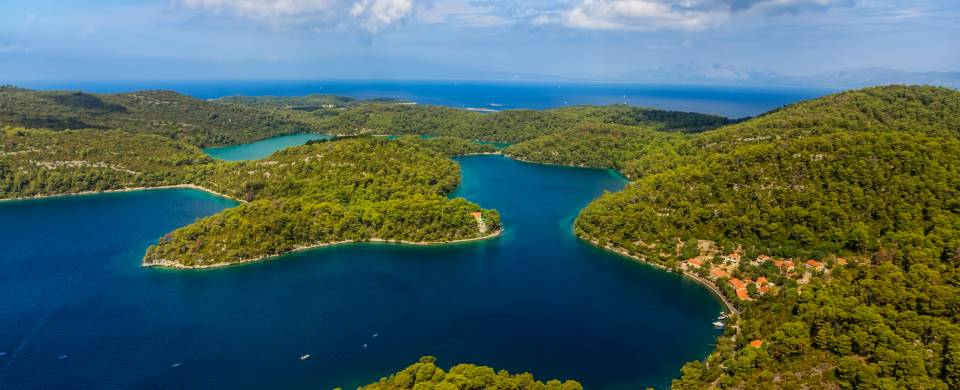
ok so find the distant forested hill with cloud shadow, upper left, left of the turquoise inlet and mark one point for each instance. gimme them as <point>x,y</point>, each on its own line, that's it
<point>170,114</point>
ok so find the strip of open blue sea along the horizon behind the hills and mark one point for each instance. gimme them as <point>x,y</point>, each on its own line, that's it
<point>728,101</point>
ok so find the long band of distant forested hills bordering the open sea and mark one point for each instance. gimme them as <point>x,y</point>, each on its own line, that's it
<point>241,119</point>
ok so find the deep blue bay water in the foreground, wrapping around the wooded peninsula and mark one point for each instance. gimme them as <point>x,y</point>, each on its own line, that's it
<point>535,299</point>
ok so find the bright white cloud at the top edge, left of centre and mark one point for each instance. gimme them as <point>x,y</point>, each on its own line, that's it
<point>370,15</point>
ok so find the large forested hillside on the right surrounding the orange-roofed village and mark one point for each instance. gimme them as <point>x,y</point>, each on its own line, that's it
<point>871,174</point>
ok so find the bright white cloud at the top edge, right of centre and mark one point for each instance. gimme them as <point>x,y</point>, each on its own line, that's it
<point>674,15</point>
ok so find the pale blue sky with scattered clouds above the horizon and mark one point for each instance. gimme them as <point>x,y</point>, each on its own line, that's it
<point>384,39</point>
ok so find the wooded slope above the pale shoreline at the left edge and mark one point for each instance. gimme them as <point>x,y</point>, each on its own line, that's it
<point>43,162</point>
